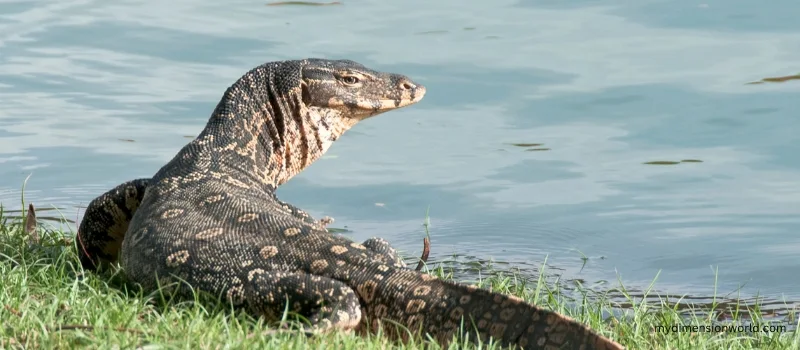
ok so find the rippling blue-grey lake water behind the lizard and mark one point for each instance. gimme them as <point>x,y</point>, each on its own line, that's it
<point>94,93</point>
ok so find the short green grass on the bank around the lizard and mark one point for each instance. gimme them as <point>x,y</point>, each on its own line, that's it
<point>48,301</point>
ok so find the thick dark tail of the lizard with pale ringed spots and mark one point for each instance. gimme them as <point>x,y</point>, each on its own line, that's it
<point>443,309</point>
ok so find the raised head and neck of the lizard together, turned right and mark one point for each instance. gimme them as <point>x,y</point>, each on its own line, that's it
<point>284,115</point>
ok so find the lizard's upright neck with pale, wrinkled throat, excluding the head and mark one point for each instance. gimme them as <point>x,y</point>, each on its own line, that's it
<point>266,133</point>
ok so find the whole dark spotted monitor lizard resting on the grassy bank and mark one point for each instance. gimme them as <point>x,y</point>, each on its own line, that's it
<point>210,218</point>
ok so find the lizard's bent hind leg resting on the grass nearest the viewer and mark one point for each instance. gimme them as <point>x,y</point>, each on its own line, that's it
<point>324,302</point>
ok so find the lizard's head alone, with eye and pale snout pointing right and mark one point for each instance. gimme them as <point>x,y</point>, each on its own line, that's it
<point>355,92</point>
